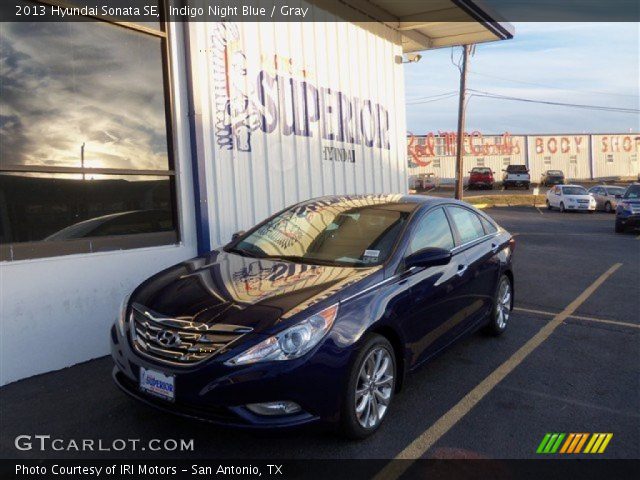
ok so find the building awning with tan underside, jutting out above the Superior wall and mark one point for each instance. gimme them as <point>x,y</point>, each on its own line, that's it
<point>437,23</point>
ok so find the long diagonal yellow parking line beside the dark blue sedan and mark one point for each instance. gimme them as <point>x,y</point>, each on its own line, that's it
<point>431,435</point>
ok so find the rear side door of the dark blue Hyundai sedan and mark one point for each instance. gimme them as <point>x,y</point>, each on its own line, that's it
<point>482,262</point>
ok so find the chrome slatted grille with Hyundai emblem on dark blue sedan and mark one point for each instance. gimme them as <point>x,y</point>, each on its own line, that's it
<point>179,341</point>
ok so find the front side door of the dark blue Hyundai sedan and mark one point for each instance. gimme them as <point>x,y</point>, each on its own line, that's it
<point>438,303</point>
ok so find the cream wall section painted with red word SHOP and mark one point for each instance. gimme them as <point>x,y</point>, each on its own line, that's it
<point>615,155</point>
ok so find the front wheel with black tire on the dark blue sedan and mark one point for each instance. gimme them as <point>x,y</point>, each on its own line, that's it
<point>358,425</point>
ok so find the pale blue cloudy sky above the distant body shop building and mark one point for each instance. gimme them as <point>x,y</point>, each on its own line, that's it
<point>579,63</point>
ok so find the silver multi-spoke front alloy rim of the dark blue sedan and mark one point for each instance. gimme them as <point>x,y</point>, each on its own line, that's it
<point>374,387</point>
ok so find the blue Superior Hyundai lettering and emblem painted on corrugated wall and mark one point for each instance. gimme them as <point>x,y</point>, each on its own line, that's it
<point>280,94</point>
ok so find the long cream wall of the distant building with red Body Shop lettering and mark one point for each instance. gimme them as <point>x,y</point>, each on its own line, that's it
<point>580,157</point>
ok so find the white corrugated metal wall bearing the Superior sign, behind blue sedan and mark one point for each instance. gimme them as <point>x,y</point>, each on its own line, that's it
<point>290,111</point>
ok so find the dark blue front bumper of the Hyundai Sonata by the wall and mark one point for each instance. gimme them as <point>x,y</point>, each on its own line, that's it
<point>216,393</point>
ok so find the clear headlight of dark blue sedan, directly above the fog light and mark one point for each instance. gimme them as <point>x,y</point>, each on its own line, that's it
<point>291,343</point>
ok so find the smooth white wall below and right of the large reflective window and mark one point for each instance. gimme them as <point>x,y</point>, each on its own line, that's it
<point>56,312</point>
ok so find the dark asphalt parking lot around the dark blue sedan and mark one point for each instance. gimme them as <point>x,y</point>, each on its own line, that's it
<point>568,363</point>
